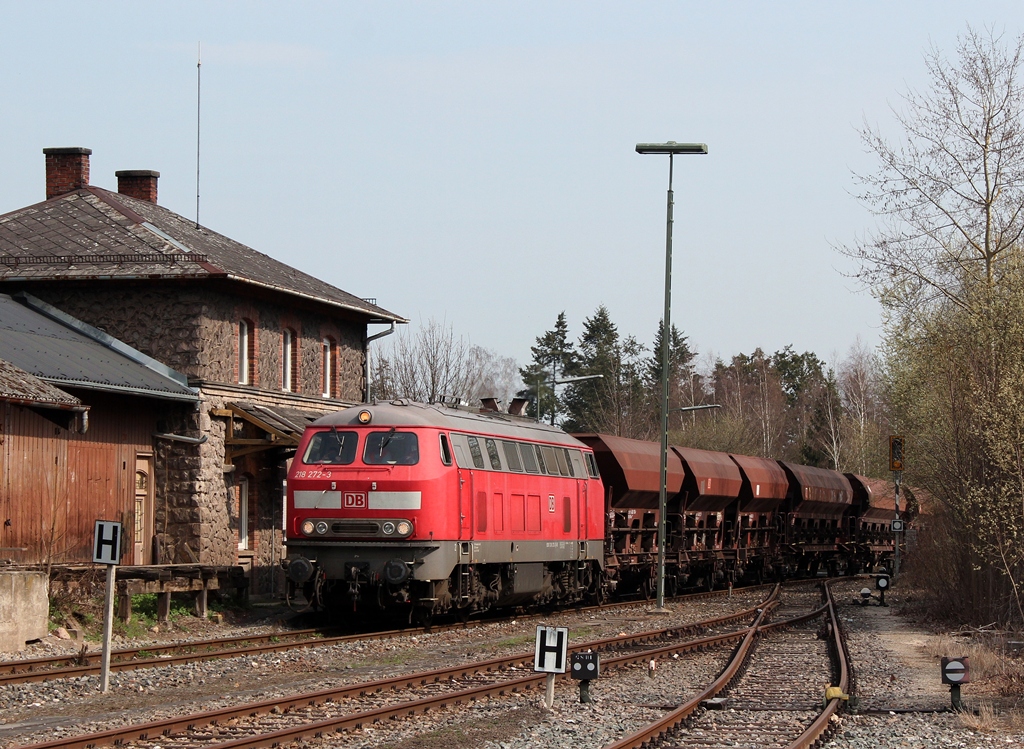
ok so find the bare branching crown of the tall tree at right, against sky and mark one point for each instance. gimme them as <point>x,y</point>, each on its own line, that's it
<point>951,193</point>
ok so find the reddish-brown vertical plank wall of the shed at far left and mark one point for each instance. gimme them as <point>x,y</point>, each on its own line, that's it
<point>56,483</point>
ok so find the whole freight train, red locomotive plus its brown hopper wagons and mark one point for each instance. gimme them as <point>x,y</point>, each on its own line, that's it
<point>431,509</point>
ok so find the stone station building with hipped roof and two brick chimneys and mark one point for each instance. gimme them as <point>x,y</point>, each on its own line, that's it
<point>268,348</point>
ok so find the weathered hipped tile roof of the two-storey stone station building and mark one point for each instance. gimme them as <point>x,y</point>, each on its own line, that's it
<point>93,233</point>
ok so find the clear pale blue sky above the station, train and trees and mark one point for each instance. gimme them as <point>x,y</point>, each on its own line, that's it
<point>475,162</point>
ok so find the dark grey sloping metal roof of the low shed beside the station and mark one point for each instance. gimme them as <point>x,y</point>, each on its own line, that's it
<point>64,354</point>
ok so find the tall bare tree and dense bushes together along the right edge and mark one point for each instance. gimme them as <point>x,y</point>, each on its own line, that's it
<point>947,265</point>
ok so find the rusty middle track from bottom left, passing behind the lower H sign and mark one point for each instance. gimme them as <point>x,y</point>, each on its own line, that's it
<point>278,722</point>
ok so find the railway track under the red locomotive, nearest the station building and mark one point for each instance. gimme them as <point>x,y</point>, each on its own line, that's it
<point>130,659</point>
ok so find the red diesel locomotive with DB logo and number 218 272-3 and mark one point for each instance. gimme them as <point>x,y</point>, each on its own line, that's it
<point>435,509</point>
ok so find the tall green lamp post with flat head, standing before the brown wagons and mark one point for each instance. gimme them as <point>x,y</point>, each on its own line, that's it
<point>672,149</point>
